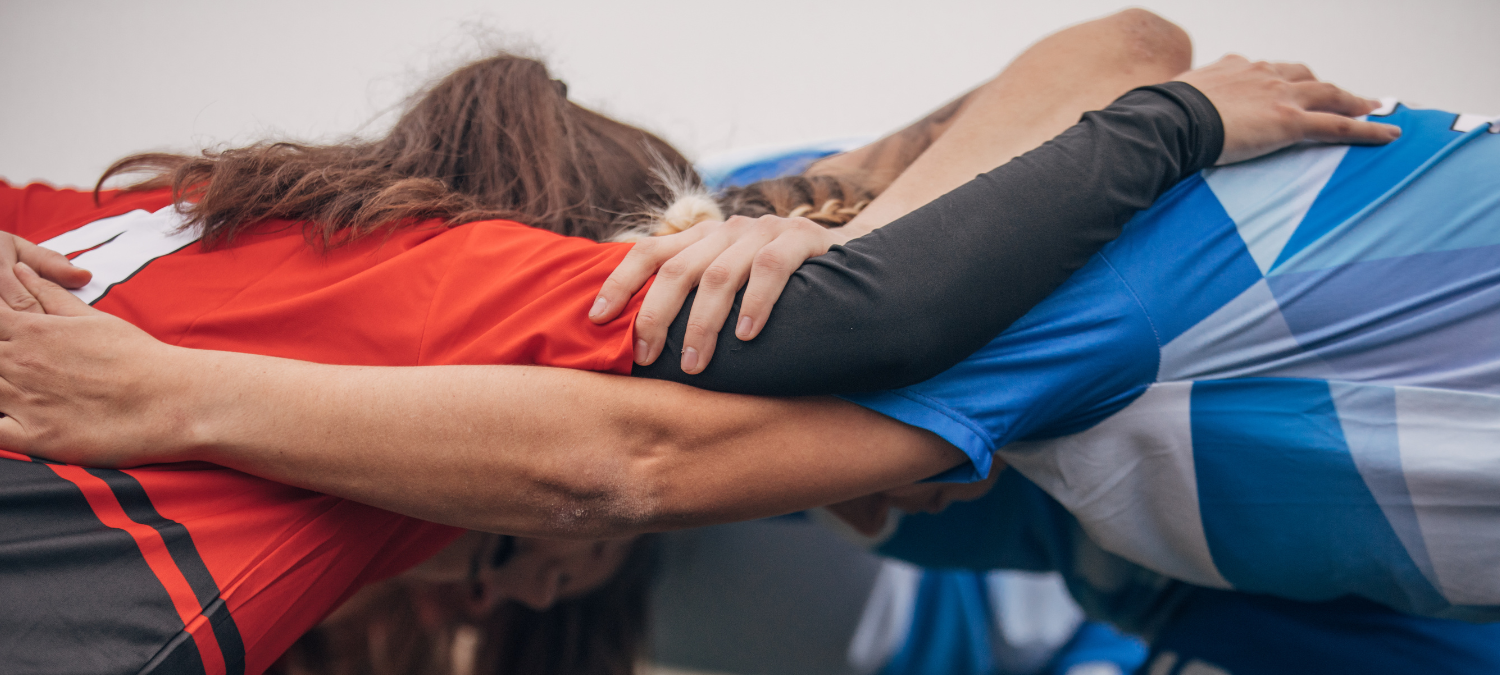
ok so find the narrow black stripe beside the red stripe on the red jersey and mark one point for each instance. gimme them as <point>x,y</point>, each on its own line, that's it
<point>179,544</point>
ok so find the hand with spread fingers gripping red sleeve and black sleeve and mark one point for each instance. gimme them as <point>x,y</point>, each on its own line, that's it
<point>719,259</point>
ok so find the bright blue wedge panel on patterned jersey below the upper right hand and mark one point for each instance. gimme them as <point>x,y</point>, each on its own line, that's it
<point>1369,172</point>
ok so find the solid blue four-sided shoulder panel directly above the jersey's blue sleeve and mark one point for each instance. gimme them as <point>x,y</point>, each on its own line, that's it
<point>1184,259</point>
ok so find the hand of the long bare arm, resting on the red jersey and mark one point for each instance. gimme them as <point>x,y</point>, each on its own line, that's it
<point>74,383</point>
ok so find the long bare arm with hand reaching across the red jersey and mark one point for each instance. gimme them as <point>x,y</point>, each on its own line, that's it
<point>523,451</point>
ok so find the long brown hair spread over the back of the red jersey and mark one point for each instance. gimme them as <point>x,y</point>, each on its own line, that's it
<point>494,140</point>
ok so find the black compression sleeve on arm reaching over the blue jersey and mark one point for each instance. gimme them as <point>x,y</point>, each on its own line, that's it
<point>920,295</point>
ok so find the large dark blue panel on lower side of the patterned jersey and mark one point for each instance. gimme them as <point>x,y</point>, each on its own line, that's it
<point>1283,505</point>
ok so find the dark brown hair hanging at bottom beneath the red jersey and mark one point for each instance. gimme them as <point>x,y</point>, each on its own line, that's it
<point>416,629</point>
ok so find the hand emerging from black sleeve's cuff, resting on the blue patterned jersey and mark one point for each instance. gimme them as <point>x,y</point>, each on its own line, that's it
<point>1268,107</point>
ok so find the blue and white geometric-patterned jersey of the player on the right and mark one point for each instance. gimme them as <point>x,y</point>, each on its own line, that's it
<point>1285,377</point>
